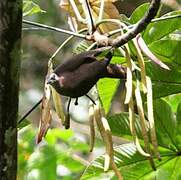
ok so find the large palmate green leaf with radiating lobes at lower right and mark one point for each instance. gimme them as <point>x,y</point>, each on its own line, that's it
<point>131,163</point>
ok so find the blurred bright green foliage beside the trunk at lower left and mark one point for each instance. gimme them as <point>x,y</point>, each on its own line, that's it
<point>55,159</point>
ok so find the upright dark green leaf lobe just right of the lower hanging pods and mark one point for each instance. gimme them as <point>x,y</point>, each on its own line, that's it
<point>165,124</point>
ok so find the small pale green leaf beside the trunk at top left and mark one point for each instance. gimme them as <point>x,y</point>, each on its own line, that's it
<point>30,8</point>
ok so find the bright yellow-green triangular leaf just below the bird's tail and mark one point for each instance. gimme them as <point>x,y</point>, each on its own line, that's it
<point>107,88</point>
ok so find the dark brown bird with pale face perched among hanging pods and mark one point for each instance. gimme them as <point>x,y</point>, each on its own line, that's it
<point>78,74</point>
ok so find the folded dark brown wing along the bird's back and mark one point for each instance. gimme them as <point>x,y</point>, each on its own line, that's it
<point>76,61</point>
